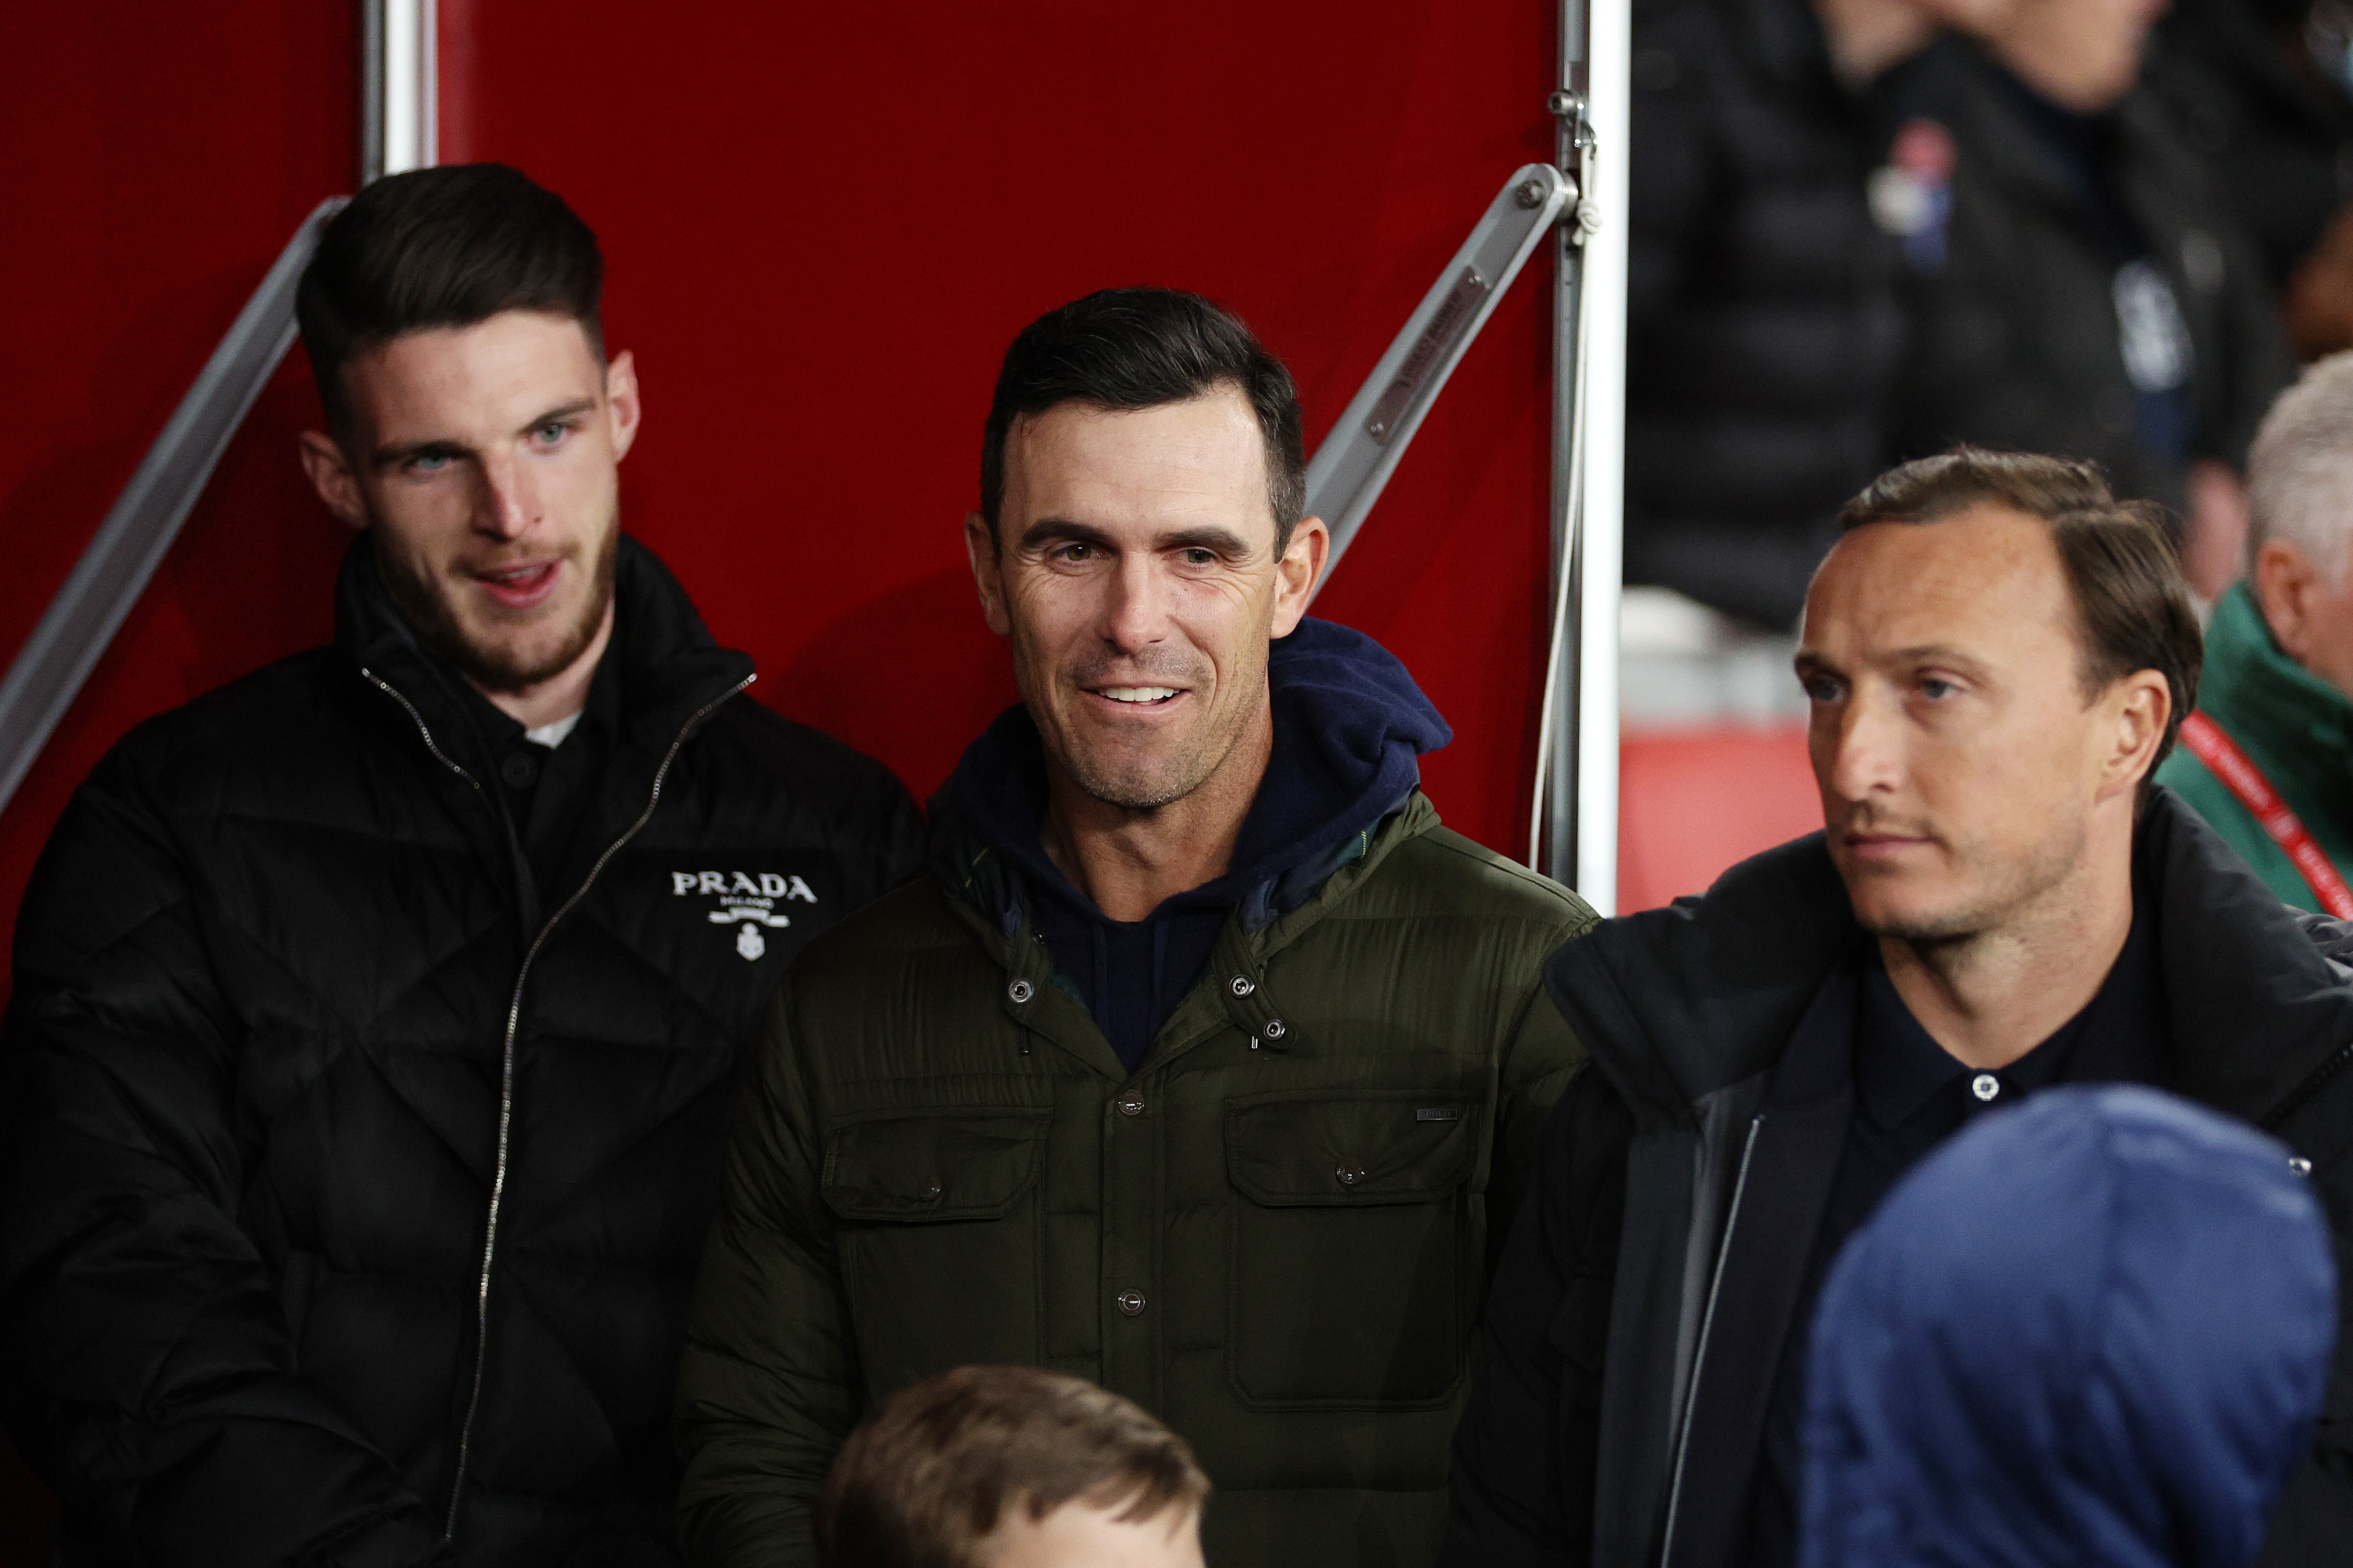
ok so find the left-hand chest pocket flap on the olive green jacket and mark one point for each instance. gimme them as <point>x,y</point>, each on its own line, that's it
<point>966,1165</point>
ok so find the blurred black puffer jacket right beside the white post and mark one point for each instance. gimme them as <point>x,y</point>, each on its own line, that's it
<point>1764,323</point>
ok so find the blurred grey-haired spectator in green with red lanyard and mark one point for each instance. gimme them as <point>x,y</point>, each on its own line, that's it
<point>2269,753</point>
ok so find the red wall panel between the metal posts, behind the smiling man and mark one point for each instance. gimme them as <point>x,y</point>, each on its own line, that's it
<point>827,222</point>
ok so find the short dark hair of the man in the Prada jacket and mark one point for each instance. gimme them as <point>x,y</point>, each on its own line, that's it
<point>444,248</point>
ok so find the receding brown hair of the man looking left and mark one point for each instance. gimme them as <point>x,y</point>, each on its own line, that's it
<point>2133,605</point>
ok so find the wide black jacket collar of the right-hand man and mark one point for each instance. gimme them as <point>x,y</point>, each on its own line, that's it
<point>1707,993</point>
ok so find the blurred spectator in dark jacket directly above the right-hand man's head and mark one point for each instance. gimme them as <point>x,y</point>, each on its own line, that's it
<point>2079,283</point>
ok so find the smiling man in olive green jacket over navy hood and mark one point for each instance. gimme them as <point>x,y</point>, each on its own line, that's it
<point>1204,1064</point>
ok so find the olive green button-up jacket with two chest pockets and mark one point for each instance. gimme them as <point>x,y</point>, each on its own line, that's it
<point>1274,1233</point>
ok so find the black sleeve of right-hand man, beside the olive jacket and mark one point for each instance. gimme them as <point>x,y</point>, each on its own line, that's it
<point>1528,1445</point>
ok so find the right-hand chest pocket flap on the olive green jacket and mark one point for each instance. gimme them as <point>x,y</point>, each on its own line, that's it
<point>1338,1151</point>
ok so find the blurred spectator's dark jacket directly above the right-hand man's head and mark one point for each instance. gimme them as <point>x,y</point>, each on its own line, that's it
<point>2018,335</point>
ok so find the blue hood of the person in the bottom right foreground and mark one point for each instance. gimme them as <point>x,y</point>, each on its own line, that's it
<point>2091,1332</point>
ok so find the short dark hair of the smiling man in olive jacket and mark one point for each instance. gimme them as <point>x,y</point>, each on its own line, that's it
<point>1142,349</point>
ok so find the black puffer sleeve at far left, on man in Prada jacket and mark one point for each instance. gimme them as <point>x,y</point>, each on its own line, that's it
<point>145,1358</point>
